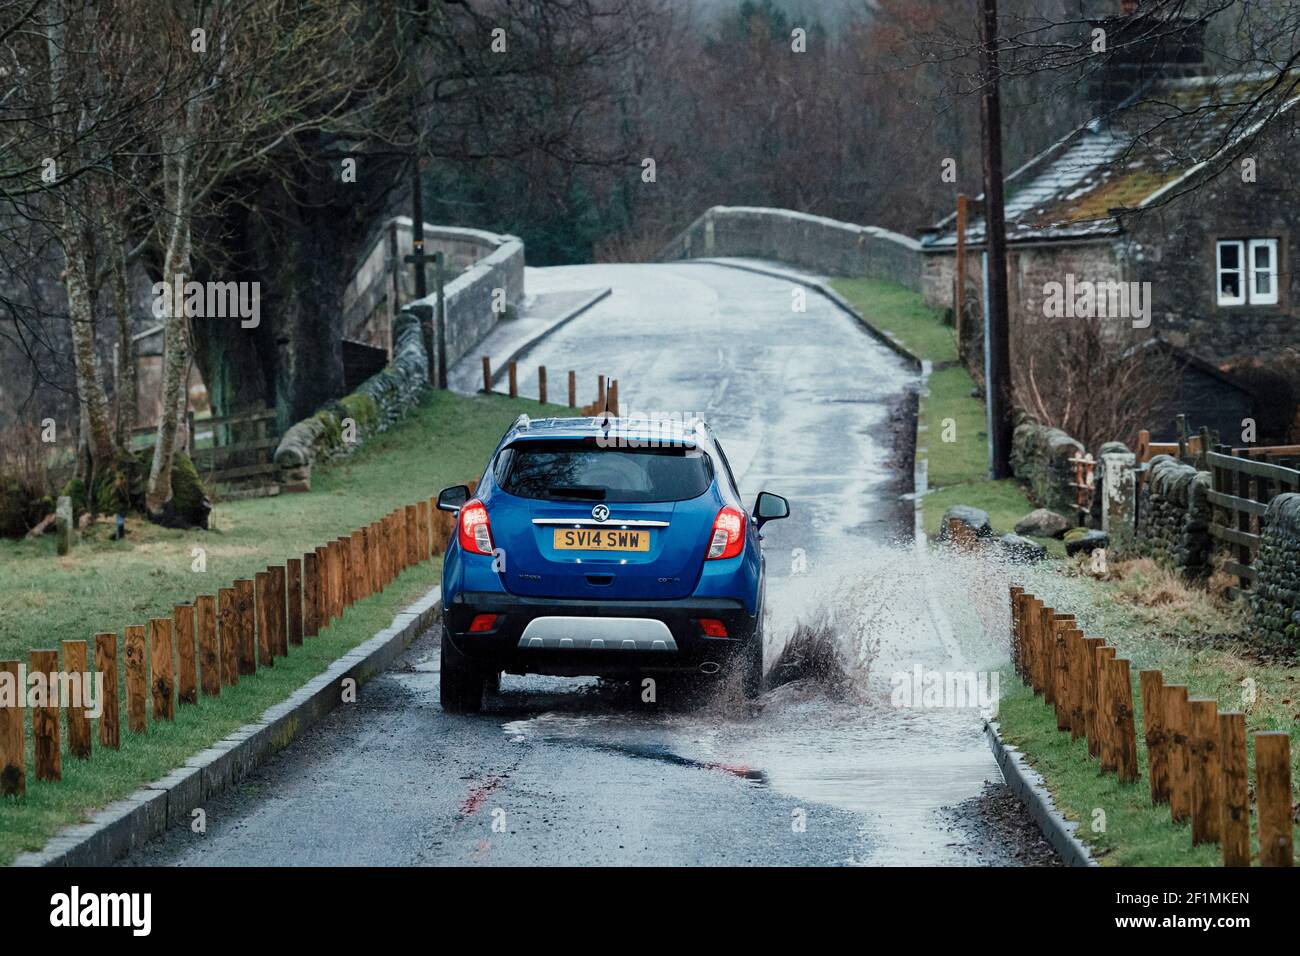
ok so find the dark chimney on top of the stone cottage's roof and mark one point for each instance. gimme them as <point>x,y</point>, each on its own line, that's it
<point>1142,49</point>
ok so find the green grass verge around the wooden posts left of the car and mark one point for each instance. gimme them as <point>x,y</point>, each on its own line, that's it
<point>105,586</point>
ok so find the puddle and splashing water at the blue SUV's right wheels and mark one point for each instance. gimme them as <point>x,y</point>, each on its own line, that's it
<point>898,767</point>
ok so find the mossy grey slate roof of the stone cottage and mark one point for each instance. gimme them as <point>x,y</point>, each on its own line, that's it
<point>1129,159</point>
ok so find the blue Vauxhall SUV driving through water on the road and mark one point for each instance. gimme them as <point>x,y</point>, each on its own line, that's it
<point>604,547</point>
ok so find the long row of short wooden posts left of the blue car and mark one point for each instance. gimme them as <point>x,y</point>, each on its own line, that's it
<point>205,648</point>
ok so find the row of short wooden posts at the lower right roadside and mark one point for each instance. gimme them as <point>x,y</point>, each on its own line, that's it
<point>1195,754</point>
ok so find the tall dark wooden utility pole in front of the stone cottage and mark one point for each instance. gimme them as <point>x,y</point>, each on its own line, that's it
<point>998,347</point>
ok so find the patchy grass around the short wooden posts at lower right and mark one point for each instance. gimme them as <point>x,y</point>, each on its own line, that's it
<point>1158,622</point>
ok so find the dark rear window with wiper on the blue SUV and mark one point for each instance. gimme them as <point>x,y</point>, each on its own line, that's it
<point>583,471</point>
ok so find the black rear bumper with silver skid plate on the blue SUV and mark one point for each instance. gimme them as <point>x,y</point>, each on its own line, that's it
<point>571,638</point>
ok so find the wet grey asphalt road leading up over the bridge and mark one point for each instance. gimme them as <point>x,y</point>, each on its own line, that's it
<point>577,772</point>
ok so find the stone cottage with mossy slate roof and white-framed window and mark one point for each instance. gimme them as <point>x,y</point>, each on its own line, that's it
<point>1190,185</point>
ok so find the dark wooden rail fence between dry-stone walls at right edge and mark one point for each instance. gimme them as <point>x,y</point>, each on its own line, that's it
<point>1242,488</point>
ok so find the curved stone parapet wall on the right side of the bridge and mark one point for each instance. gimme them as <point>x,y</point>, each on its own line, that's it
<point>822,245</point>
